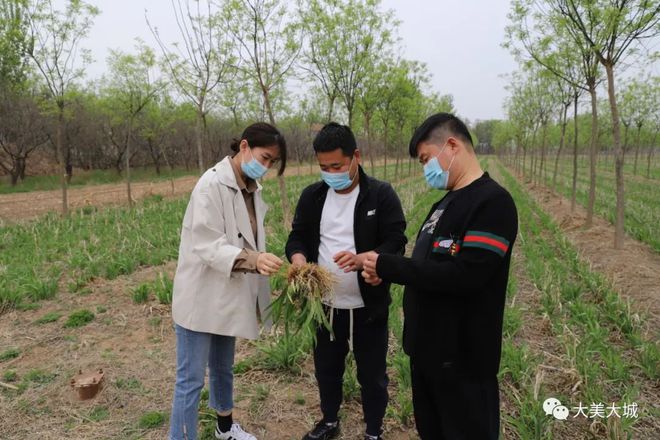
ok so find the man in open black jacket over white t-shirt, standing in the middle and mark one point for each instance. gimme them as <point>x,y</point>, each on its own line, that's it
<point>337,221</point>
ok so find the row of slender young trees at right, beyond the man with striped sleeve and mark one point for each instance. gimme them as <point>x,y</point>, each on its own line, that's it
<point>568,50</point>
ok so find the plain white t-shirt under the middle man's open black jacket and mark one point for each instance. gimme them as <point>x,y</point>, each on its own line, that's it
<point>337,235</point>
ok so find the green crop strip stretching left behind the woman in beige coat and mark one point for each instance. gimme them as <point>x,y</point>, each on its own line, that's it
<point>52,253</point>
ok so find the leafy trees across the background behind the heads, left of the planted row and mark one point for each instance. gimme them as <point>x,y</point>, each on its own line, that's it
<point>295,64</point>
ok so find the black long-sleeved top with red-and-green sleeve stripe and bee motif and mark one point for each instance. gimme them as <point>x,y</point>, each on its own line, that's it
<point>454,295</point>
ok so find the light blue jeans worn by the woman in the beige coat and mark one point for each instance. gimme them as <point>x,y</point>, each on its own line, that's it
<point>194,351</point>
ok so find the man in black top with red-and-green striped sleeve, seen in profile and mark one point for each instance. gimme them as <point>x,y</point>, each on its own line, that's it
<point>455,287</point>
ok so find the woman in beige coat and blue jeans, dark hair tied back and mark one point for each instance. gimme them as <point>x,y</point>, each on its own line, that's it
<point>221,284</point>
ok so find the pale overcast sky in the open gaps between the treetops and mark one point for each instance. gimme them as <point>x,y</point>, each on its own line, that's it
<point>458,40</point>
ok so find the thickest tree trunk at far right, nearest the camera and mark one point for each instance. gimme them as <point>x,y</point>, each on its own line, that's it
<point>618,167</point>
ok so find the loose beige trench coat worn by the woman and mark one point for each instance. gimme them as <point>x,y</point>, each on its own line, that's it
<point>208,297</point>
